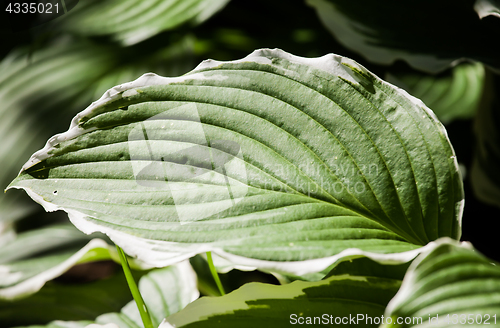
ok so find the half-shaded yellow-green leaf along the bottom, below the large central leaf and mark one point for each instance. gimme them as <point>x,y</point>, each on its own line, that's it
<point>255,304</point>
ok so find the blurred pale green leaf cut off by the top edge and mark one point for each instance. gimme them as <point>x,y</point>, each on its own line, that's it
<point>130,22</point>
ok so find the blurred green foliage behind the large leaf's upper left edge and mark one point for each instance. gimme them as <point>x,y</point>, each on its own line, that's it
<point>42,91</point>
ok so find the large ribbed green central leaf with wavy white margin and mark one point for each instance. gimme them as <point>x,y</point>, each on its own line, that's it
<point>266,161</point>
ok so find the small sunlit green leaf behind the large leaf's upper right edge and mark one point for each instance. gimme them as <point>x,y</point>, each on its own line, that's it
<point>455,94</point>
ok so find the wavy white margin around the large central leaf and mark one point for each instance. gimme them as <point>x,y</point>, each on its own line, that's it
<point>154,258</point>
